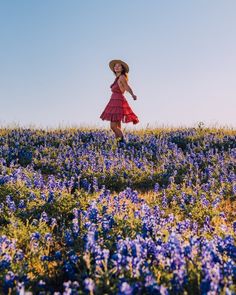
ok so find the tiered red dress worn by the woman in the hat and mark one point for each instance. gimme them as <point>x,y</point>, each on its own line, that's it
<point>118,108</point>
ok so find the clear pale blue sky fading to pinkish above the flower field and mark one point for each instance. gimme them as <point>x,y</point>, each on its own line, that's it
<point>54,60</point>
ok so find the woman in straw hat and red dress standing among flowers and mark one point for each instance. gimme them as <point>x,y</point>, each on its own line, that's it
<point>118,109</point>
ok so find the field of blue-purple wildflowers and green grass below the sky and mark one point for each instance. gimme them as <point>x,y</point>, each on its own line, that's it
<point>80,215</point>
